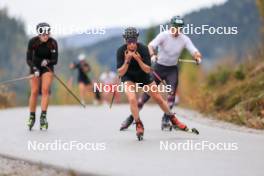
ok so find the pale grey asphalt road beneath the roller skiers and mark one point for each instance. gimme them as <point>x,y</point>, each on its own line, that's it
<point>99,147</point>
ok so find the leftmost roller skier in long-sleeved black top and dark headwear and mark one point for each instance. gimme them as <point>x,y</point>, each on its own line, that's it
<point>42,55</point>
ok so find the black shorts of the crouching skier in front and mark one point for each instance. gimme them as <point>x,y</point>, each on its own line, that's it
<point>144,79</point>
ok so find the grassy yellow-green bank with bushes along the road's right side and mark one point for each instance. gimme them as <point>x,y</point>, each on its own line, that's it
<point>230,92</point>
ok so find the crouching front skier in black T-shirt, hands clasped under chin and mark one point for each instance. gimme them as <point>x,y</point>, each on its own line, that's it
<point>133,65</point>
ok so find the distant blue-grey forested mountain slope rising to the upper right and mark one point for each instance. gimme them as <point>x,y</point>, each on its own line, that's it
<point>231,13</point>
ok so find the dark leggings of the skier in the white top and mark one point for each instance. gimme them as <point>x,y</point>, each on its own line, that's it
<point>170,75</point>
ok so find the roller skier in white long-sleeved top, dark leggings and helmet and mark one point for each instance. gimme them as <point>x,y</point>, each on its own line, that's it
<point>170,45</point>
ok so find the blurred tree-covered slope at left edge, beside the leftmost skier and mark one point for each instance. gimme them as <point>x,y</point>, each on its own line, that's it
<point>12,56</point>
